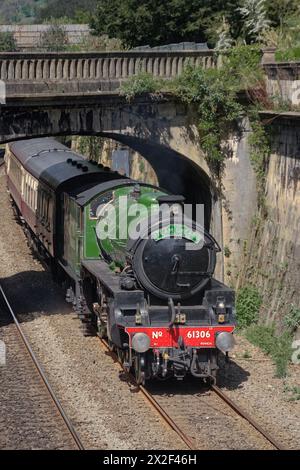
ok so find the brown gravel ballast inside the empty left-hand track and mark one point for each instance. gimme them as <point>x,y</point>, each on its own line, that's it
<point>29,418</point>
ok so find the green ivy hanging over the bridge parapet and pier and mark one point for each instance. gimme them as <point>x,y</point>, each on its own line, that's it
<point>215,95</point>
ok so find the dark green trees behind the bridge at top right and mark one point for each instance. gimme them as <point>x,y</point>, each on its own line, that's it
<point>220,23</point>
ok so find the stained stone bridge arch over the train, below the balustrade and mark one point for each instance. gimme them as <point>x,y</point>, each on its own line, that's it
<point>159,128</point>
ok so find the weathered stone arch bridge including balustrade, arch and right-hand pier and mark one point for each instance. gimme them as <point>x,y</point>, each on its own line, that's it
<point>77,94</point>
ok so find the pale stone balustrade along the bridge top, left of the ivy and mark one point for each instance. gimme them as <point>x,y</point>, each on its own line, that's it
<point>91,72</point>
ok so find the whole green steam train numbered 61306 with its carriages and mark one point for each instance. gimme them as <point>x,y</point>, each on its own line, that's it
<point>155,301</point>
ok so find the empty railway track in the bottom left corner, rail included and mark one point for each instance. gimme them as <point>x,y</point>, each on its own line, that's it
<point>42,406</point>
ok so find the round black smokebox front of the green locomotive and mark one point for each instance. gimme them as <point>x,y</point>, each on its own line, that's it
<point>174,260</point>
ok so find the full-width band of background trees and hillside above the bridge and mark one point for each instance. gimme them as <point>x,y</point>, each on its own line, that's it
<point>221,23</point>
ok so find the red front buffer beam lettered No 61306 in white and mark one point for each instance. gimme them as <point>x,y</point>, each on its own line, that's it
<point>168,337</point>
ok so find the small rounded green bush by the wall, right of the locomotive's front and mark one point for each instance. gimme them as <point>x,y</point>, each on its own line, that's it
<point>248,303</point>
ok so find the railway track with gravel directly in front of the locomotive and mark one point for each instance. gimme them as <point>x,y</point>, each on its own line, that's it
<point>206,419</point>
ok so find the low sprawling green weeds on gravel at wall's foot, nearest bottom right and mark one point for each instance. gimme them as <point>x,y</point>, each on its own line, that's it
<point>277,346</point>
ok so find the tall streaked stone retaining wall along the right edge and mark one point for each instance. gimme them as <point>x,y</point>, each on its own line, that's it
<point>272,261</point>
